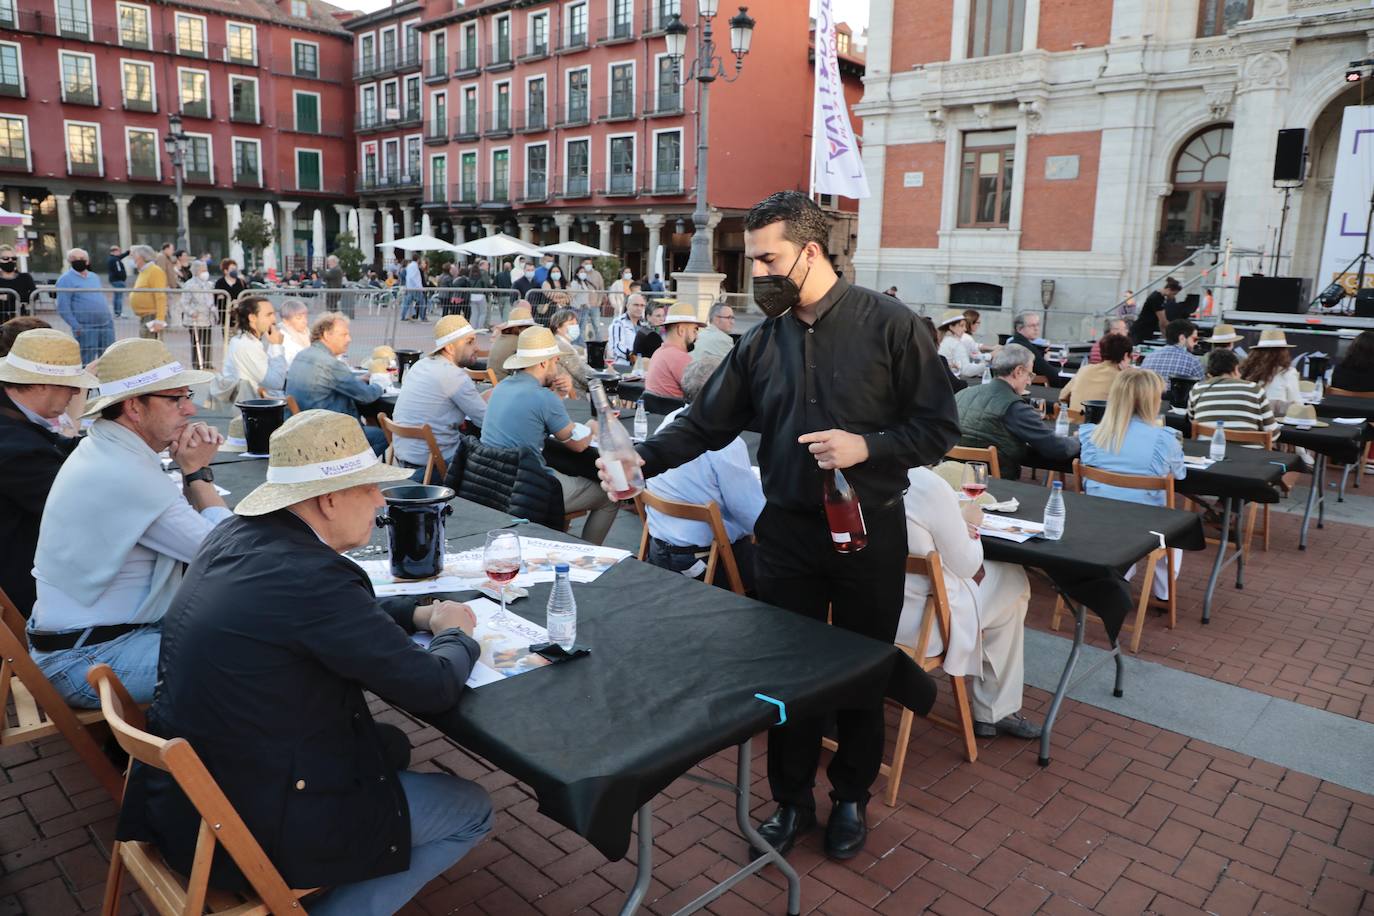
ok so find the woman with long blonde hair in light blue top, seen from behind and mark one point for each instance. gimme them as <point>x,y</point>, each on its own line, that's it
<point>1130,440</point>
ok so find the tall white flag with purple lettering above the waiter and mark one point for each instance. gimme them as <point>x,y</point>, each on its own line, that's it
<point>836,164</point>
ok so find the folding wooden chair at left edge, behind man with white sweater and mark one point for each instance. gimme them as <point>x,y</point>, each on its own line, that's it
<point>39,711</point>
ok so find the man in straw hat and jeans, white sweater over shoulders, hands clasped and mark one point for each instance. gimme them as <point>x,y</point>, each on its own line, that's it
<point>116,535</point>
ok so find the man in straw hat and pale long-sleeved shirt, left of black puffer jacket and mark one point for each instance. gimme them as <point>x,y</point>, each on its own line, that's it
<point>440,393</point>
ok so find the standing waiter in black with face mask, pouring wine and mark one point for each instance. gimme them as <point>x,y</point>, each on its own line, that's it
<point>839,377</point>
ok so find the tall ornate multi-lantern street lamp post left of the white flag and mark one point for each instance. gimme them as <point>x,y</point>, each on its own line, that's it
<point>706,69</point>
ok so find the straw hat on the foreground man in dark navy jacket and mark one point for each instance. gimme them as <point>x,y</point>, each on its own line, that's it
<point>317,453</point>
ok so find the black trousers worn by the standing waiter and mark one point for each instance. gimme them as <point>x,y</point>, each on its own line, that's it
<point>798,569</point>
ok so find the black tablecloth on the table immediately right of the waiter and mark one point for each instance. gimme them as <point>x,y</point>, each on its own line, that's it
<point>1101,540</point>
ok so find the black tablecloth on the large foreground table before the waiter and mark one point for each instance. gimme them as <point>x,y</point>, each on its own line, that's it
<point>671,680</point>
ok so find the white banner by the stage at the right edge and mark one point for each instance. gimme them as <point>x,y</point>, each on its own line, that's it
<point>1350,201</point>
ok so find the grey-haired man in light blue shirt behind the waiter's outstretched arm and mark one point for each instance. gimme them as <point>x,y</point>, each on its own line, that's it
<point>723,477</point>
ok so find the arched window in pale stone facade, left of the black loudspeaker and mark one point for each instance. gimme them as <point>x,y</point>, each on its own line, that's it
<point>1193,212</point>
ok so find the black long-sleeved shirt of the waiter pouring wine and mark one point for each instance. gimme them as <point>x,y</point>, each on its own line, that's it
<point>865,367</point>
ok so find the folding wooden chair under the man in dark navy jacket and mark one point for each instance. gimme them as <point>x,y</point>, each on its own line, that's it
<point>221,825</point>
